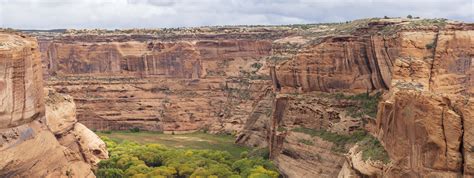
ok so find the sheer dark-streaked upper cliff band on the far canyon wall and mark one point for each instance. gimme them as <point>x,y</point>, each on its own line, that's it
<point>182,59</point>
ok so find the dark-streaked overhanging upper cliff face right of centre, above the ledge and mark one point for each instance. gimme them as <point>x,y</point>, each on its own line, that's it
<point>343,63</point>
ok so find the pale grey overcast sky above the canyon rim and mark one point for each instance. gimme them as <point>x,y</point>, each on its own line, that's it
<point>112,14</point>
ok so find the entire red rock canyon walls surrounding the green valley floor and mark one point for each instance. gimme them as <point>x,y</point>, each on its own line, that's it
<point>319,97</point>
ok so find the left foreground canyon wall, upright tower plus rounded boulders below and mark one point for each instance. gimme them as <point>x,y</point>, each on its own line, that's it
<point>30,142</point>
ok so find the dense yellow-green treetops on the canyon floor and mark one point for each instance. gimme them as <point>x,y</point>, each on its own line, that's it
<point>129,159</point>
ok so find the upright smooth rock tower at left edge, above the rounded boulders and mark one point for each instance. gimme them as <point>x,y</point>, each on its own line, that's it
<point>21,84</point>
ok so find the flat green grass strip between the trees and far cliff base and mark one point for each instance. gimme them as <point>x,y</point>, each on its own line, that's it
<point>197,140</point>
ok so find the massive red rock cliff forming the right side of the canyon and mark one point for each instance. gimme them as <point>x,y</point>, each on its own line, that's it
<point>424,119</point>
